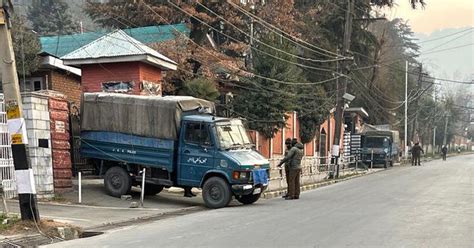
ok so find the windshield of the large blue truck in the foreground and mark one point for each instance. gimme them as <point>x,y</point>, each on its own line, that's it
<point>232,135</point>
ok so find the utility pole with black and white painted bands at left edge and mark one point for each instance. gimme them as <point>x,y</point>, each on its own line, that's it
<point>16,124</point>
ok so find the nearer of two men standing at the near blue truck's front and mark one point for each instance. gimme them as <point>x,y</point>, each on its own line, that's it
<point>294,157</point>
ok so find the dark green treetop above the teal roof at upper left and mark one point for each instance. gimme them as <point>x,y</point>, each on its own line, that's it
<point>51,17</point>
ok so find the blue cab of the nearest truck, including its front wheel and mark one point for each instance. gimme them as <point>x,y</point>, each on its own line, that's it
<point>213,150</point>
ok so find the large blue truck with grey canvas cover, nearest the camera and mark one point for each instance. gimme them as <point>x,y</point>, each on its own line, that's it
<point>179,141</point>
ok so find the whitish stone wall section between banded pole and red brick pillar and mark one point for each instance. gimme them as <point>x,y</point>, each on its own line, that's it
<point>35,107</point>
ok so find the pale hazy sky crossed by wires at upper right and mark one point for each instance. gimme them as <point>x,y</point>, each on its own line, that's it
<point>442,18</point>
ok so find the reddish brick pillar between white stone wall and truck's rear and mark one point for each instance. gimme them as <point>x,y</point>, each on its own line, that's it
<point>62,165</point>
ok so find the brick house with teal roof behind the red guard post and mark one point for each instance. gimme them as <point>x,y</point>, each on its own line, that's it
<point>53,74</point>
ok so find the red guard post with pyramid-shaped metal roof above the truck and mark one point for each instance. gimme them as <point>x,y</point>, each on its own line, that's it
<point>116,62</point>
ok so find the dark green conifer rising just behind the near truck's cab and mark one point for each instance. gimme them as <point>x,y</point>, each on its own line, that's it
<point>265,103</point>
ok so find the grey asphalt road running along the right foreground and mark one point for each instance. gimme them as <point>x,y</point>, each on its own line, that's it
<point>427,206</point>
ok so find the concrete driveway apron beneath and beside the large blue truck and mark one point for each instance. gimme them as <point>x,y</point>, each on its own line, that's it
<point>99,209</point>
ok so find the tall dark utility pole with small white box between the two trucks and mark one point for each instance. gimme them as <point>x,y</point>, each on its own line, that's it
<point>342,88</point>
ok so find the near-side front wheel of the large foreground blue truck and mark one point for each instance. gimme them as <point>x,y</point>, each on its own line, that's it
<point>216,193</point>
